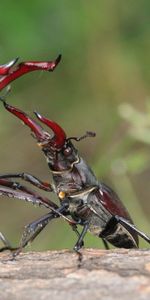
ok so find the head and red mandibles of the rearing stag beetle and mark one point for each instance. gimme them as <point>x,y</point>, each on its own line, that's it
<point>59,150</point>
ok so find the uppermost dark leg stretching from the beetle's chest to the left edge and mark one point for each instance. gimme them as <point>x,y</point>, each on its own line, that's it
<point>31,179</point>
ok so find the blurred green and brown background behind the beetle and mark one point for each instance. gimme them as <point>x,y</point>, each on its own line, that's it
<point>102,85</point>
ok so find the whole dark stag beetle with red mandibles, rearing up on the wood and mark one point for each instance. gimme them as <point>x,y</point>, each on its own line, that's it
<point>83,199</point>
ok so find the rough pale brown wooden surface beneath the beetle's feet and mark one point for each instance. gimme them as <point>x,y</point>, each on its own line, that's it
<point>114,274</point>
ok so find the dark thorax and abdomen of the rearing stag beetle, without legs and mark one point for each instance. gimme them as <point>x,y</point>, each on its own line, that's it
<point>91,201</point>
